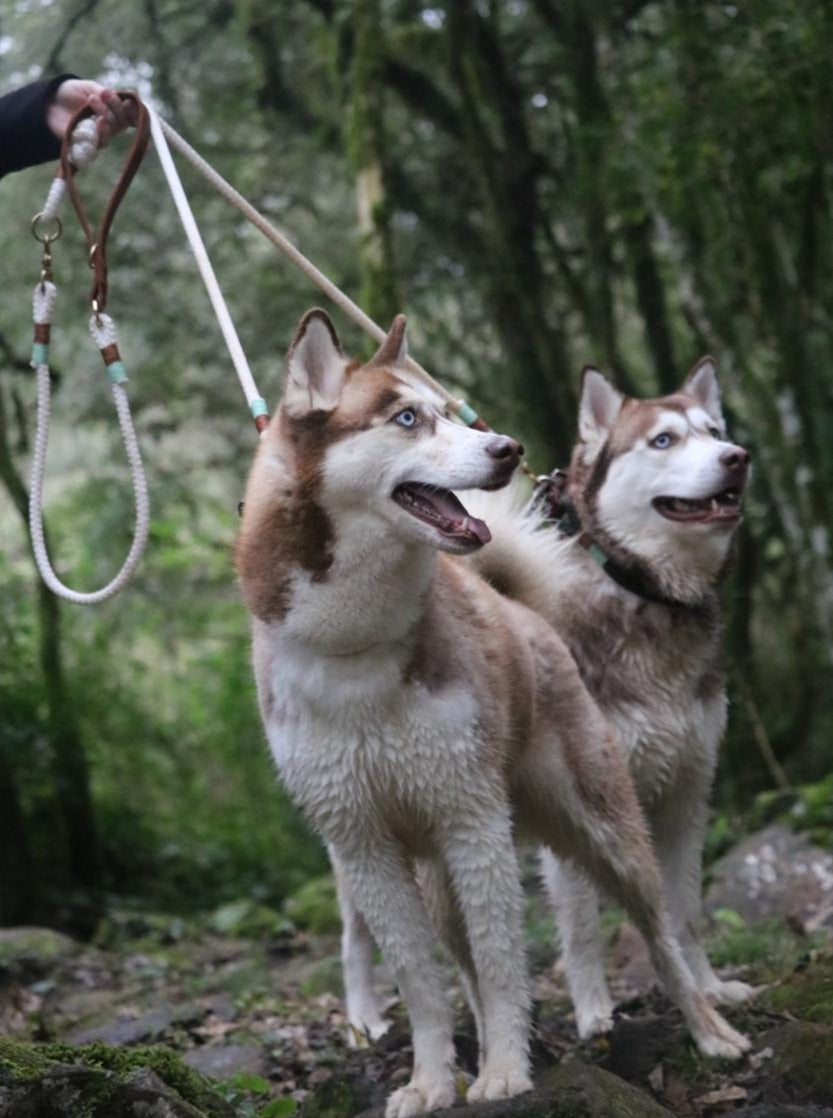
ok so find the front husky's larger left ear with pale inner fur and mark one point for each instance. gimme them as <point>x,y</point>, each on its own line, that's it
<point>315,366</point>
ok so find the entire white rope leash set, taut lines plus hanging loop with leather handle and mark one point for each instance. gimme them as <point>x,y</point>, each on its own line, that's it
<point>79,150</point>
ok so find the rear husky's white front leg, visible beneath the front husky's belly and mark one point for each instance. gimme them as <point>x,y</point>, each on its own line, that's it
<point>575,901</point>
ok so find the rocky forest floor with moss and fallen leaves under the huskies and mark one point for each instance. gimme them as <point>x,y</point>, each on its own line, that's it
<point>240,1016</point>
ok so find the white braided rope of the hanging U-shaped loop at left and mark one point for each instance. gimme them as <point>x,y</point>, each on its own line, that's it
<point>44,302</point>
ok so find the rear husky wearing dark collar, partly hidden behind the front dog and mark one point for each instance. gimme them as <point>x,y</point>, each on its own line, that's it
<point>654,501</point>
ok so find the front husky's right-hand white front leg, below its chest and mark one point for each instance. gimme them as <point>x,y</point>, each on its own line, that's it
<point>480,855</point>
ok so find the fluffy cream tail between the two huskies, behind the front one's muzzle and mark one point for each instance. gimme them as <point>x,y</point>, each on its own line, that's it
<point>526,554</point>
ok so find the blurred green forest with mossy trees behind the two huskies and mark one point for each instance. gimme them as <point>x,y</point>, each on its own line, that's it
<point>539,185</point>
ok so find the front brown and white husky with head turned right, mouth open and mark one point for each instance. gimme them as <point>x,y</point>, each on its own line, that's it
<point>419,717</point>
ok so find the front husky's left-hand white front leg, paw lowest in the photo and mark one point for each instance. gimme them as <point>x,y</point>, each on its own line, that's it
<point>384,887</point>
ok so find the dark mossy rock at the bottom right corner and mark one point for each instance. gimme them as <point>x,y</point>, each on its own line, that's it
<point>802,1066</point>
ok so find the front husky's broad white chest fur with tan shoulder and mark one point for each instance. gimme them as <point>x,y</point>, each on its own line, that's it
<point>403,735</point>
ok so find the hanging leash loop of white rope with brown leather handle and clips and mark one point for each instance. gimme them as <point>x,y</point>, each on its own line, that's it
<point>79,150</point>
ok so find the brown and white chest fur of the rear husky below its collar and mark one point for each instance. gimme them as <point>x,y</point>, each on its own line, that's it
<point>655,671</point>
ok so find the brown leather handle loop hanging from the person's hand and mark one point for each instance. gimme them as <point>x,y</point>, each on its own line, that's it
<point>98,242</point>
